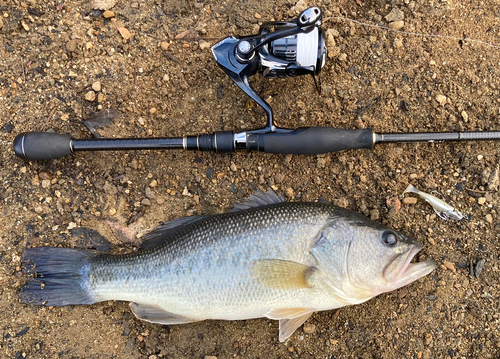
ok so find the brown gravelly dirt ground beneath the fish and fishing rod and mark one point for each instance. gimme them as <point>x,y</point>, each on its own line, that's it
<point>165,82</point>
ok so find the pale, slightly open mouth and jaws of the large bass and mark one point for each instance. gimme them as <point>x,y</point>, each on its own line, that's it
<point>402,271</point>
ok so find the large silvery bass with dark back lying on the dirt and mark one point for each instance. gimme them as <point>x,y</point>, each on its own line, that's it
<point>267,258</point>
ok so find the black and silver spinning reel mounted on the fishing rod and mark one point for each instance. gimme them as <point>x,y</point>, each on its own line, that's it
<point>293,49</point>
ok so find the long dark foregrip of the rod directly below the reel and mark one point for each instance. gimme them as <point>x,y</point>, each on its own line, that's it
<point>311,141</point>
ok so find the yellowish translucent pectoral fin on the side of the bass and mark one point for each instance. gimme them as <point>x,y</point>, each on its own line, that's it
<point>280,274</point>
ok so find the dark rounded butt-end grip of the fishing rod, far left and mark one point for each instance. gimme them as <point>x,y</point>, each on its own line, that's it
<point>42,145</point>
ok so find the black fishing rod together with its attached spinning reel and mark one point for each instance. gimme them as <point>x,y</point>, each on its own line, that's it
<point>280,50</point>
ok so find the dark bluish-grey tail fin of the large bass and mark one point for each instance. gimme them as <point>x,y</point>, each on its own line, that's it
<point>60,278</point>
